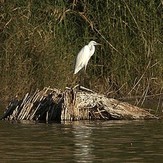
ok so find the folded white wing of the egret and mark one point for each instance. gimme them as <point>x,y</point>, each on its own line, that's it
<point>81,59</point>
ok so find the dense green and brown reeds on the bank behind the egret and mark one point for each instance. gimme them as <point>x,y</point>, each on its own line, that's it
<point>39,41</point>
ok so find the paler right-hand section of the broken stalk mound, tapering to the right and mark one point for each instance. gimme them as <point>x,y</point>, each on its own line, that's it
<point>88,105</point>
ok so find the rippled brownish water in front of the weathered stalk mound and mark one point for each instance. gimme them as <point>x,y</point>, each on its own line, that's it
<point>85,141</point>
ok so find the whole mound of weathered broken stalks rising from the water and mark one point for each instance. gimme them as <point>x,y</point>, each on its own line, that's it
<point>76,103</point>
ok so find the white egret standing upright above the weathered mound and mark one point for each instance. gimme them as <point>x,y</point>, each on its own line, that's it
<point>84,56</point>
